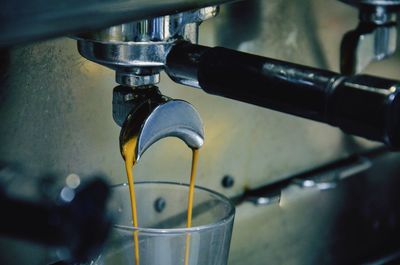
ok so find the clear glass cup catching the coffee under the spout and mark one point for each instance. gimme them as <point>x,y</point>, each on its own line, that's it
<point>163,237</point>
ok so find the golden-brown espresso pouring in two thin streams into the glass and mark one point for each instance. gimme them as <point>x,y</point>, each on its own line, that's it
<point>128,151</point>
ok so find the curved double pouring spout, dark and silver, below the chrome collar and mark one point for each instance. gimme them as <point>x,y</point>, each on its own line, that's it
<point>154,117</point>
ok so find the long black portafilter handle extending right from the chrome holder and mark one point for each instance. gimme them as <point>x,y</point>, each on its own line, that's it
<point>362,105</point>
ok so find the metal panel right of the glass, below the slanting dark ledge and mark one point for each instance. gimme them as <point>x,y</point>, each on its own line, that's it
<point>355,223</point>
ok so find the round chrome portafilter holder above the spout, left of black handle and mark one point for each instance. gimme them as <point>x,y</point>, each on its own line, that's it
<point>141,44</point>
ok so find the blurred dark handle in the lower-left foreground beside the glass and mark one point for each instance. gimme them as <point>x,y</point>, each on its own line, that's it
<point>79,226</point>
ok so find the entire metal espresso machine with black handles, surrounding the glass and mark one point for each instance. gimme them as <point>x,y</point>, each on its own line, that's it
<point>298,99</point>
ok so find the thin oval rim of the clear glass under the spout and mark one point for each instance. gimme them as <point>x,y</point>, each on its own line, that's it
<point>143,230</point>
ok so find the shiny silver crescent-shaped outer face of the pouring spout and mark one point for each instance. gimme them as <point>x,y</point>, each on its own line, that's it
<point>176,118</point>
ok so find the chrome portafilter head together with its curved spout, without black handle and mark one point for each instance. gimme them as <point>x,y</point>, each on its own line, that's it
<point>137,52</point>
